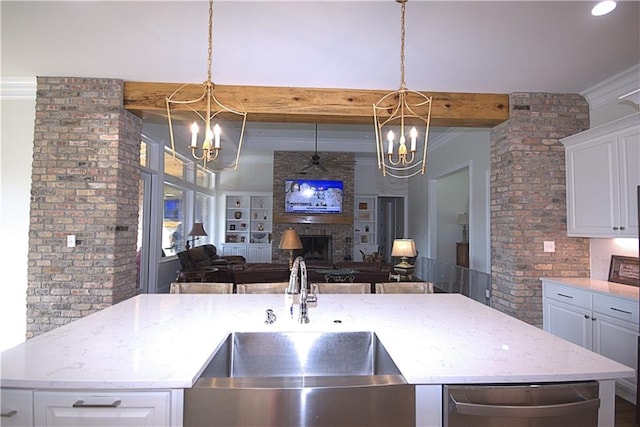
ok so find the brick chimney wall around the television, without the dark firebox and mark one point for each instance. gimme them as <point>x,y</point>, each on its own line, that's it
<point>287,165</point>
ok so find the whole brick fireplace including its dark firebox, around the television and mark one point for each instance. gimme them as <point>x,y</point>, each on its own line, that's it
<point>336,229</point>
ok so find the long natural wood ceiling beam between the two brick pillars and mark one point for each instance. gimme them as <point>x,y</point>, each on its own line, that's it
<point>318,105</point>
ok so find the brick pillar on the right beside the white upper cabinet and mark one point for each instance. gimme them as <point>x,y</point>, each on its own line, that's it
<point>528,201</point>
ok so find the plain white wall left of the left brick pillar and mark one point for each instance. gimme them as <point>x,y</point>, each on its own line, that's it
<point>16,150</point>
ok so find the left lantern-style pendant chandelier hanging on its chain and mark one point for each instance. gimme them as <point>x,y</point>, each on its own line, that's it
<point>213,138</point>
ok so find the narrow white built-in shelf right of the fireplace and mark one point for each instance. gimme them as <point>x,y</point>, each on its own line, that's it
<point>364,226</point>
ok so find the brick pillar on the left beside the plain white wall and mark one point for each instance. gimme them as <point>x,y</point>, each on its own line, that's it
<point>84,182</point>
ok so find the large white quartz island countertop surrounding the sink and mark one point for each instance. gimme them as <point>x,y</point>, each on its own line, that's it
<point>165,341</point>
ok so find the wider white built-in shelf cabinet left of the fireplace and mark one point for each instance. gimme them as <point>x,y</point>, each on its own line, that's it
<point>248,226</point>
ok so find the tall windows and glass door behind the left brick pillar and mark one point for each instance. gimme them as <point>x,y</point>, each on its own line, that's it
<point>177,192</point>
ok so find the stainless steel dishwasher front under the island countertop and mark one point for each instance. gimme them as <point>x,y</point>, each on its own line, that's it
<point>519,405</point>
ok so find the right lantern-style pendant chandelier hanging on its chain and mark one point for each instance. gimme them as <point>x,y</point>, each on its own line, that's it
<point>403,114</point>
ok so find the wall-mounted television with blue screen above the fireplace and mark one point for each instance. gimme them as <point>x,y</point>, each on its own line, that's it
<point>312,196</point>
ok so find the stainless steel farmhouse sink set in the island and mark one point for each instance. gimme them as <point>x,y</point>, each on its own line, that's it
<point>301,378</point>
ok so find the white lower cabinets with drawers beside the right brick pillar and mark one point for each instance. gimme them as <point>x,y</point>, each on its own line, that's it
<point>605,324</point>
